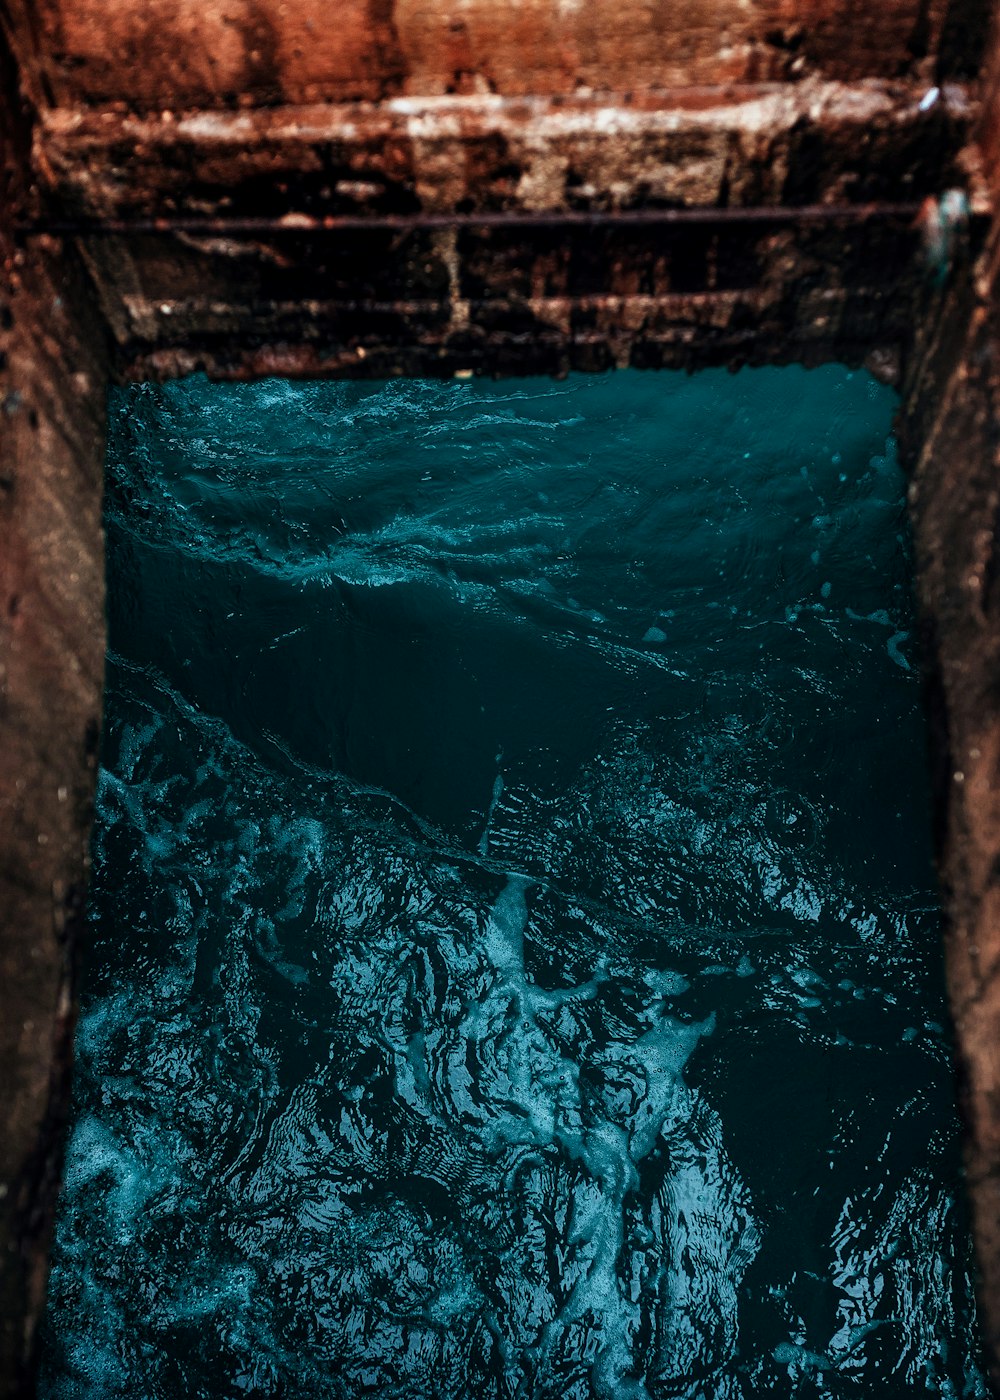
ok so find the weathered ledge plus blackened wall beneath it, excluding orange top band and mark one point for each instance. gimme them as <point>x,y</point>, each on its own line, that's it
<point>383,300</point>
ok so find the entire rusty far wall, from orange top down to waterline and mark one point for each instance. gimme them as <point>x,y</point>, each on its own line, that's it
<point>410,108</point>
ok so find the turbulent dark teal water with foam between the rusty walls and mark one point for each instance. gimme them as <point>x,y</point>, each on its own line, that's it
<point>515,960</point>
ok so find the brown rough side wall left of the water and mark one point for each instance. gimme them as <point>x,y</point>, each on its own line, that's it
<point>53,390</point>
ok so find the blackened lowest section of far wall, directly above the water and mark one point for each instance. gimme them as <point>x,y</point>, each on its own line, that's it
<point>506,302</point>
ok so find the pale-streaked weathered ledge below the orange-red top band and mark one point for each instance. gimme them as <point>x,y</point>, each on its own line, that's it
<point>812,142</point>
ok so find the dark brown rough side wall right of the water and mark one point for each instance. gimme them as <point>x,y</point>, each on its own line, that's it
<point>952,437</point>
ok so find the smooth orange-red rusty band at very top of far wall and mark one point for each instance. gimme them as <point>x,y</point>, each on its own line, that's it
<point>229,52</point>
